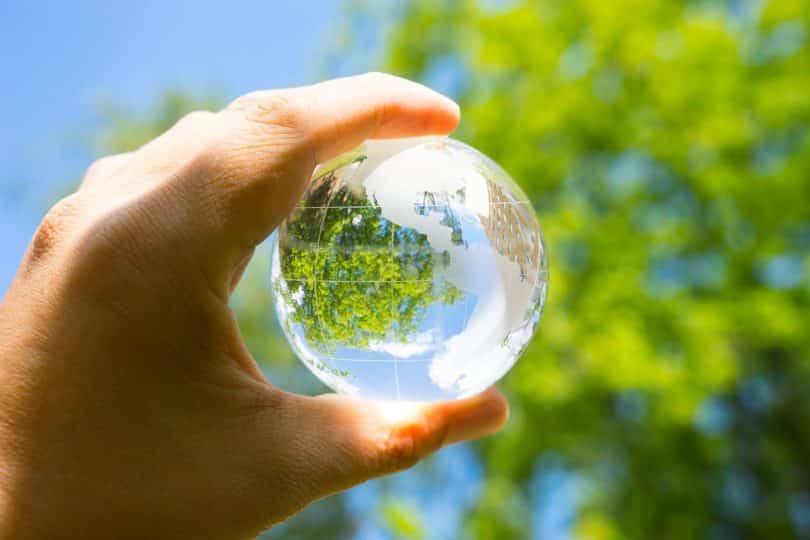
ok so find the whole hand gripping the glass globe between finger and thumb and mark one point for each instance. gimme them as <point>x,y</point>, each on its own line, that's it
<point>129,404</point>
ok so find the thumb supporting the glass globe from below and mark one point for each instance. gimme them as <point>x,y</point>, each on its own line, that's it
<point>340,441</point>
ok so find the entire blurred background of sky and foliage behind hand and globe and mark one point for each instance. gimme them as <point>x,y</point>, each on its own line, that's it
<point>666,148</point>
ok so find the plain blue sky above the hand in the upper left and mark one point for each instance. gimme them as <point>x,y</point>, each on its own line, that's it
<point>59,60</point>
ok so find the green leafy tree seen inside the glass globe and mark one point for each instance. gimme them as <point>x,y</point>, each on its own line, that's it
<point>352,276</point>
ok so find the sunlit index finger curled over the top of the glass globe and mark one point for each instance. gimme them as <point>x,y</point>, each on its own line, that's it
<point>260,169</point>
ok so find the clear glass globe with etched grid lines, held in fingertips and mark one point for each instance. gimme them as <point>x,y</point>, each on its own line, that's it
<point>411,269</point>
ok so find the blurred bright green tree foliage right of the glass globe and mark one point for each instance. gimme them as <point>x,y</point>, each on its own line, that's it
<point>666,148</point>
